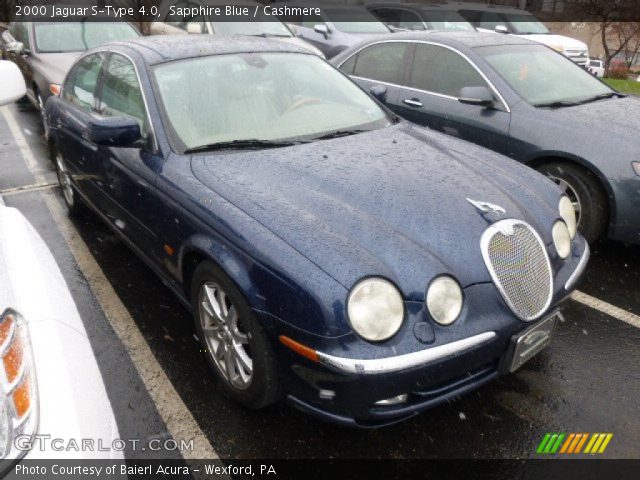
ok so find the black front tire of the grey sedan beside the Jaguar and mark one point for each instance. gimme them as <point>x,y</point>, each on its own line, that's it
<point>585,191</point>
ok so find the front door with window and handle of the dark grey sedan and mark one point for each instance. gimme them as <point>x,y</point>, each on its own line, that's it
<point>430,97</point>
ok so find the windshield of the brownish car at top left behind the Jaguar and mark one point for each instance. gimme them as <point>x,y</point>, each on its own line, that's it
<point>79,36</point>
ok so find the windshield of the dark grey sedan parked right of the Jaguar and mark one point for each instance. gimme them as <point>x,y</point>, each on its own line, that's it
<point>542,76</point>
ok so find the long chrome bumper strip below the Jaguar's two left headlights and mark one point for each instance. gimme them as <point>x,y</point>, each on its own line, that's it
<point>406,361</point>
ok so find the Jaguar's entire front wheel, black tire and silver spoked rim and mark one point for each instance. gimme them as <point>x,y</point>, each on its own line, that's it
<point>213,292</point>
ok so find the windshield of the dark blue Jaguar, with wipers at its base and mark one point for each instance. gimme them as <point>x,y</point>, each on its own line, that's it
<point>266,97</point>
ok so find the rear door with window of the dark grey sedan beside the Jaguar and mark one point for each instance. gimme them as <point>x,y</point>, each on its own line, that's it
<point>380,64</point>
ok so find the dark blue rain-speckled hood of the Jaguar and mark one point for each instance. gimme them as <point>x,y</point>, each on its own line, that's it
<point>391,202</point>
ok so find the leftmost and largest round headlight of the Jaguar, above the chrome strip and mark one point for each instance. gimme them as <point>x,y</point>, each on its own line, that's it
<point>375,309</point>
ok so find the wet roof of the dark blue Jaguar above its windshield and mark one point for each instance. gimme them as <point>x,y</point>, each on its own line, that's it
<point>167,48</point>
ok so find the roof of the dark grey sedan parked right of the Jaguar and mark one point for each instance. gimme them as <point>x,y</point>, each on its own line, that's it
<point>457,39</point>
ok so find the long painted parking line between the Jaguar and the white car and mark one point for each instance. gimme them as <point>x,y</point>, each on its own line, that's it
<point>170,406</point>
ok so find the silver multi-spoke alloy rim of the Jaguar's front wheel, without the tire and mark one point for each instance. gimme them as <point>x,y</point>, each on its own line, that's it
<point>227,343</point>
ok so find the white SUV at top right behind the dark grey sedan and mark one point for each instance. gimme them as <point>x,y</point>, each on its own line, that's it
<point>500,19</point>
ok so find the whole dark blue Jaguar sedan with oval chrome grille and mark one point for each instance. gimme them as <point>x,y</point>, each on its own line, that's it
<point>363,267</point>
